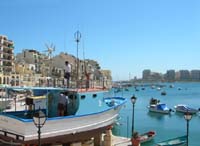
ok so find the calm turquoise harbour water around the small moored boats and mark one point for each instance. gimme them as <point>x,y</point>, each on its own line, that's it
<point>166,126</point>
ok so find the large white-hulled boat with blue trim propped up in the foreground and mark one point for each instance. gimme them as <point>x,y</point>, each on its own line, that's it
<point>19,126</point>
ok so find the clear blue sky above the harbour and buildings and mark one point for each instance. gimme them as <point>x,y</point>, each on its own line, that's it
<point>125,36</point>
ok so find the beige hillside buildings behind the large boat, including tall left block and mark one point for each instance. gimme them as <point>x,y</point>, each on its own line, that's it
<point>33,68</point>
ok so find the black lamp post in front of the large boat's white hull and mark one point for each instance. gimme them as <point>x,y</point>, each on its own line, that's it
<point>39,119</point>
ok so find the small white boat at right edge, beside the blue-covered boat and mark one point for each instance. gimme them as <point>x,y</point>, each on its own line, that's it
<point>184,108</point>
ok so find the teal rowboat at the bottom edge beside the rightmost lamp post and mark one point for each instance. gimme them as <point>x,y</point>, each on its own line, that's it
<point>178,141</point>
